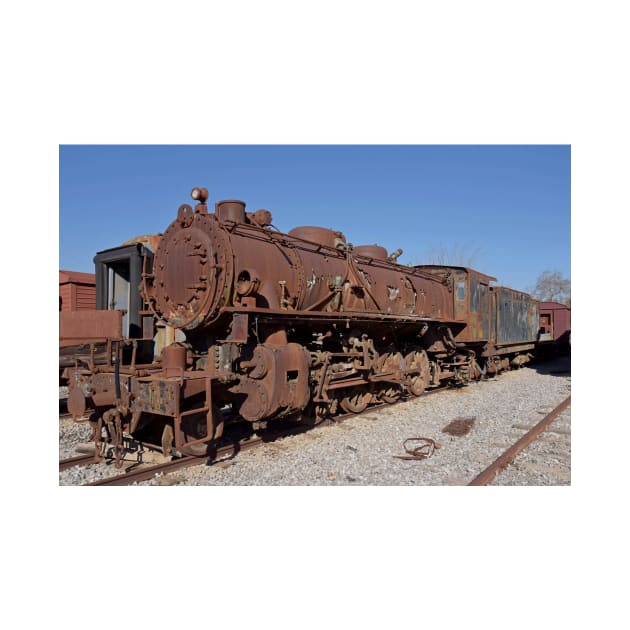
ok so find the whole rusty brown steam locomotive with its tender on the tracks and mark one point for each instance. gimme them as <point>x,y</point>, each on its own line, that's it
<point>267,326</point>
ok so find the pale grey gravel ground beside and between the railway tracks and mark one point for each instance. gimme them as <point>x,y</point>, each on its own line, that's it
<point>360,451</point>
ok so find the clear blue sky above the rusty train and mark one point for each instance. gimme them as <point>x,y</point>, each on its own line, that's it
<point>511,204</point>
